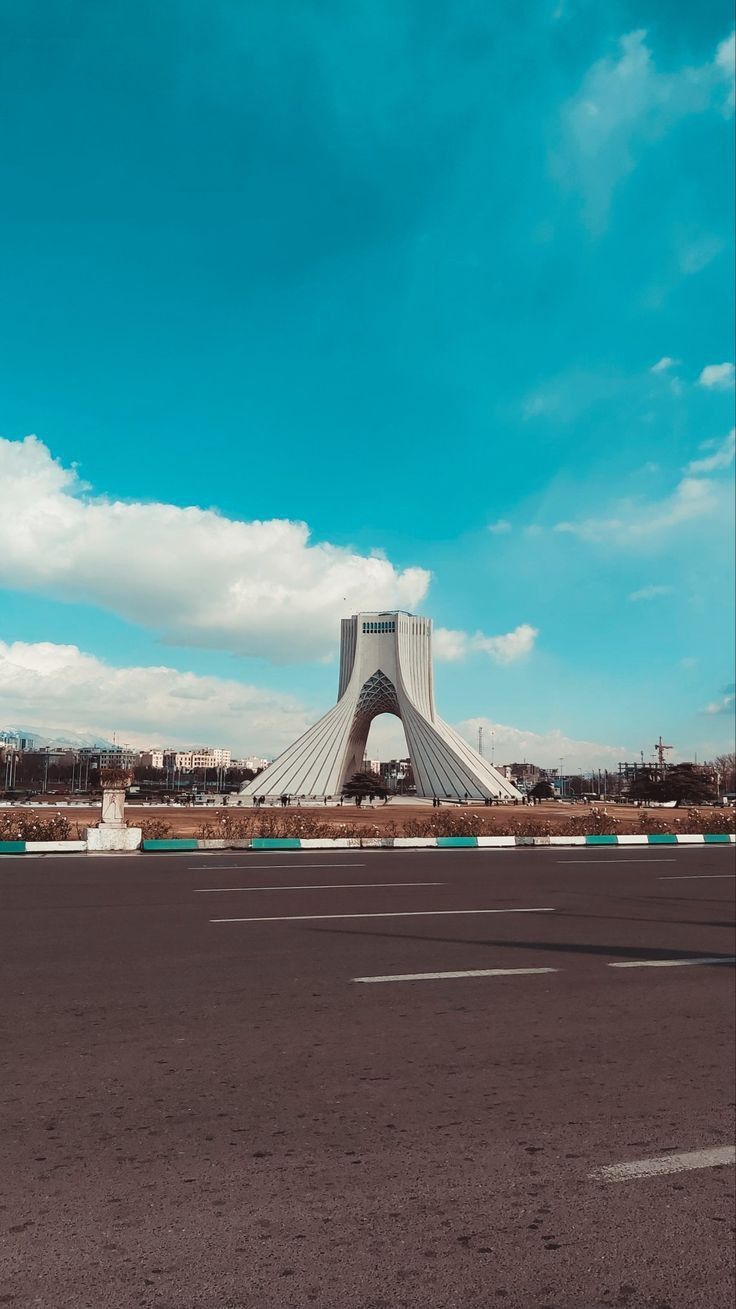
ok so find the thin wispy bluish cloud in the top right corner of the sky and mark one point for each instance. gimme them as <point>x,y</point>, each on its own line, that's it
<point>624,104</point>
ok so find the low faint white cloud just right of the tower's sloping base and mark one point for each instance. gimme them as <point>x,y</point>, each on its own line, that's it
<point>514,745</point>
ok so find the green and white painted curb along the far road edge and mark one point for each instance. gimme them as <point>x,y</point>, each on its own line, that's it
<point>184,845</point>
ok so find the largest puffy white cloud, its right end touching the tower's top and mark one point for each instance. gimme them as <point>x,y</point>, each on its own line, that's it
<point>192,575</point>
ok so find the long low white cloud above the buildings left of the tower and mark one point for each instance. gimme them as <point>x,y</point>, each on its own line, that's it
<point>60,687</point>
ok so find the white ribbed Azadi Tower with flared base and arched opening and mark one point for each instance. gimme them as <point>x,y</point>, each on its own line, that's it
<point>386,668</point>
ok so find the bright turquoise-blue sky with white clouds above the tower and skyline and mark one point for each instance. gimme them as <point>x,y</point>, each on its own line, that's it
<point>449,283</point>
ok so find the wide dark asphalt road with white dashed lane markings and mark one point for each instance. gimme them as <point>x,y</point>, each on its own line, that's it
<point>204,1109</point>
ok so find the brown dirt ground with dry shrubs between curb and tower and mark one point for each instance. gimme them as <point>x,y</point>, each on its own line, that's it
<point>188,821</point>
